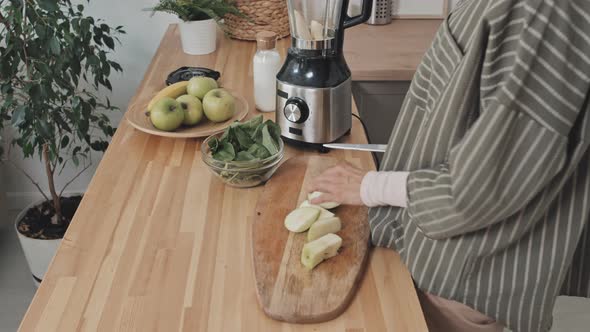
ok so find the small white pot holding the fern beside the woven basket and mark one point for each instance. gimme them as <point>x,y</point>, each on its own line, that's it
<point>198,37</point>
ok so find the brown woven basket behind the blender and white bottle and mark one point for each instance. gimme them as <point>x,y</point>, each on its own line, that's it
<point>269,15</point>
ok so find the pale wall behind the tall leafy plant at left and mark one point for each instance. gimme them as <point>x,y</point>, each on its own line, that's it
<point>138,46</point>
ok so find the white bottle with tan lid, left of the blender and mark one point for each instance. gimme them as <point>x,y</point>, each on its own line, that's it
<point>267,63</point>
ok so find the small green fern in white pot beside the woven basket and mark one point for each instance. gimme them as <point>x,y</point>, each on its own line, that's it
<point>198,32</point>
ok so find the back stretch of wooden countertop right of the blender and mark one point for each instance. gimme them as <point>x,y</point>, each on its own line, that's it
<point>388,52</point>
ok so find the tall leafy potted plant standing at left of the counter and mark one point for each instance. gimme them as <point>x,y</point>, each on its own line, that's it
<point>53,60</point>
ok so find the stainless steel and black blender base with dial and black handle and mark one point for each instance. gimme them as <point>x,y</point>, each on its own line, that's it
<point>314,97</point>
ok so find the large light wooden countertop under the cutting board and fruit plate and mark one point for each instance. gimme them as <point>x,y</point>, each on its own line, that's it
<point>158,243</point>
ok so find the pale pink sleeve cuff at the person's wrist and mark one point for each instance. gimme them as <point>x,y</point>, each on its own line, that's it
<point>384,188</point>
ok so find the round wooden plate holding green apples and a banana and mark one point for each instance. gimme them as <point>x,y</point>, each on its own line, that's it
<point>135,115</point>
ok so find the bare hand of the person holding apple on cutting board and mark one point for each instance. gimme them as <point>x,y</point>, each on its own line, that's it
<point>340,184</point>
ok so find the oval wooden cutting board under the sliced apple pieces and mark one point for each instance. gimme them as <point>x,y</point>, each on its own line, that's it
<point>285,289</point>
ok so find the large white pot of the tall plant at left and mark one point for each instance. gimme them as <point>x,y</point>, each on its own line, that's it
<point>38,252</point>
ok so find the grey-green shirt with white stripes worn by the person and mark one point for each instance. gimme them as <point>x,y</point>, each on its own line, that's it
<point>495,132</point>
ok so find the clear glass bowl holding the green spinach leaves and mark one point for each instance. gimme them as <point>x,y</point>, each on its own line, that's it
<point>241,174</point>
